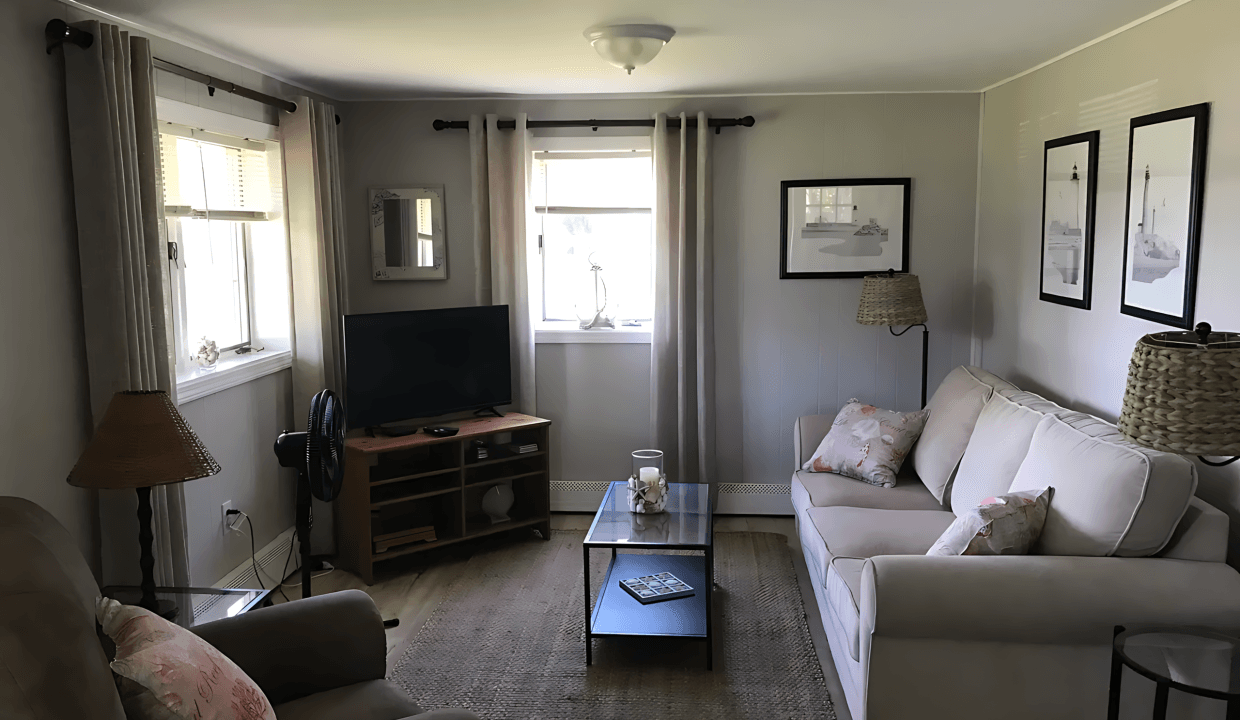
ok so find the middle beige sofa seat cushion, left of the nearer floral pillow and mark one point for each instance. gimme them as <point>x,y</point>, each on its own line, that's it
<point>867,532</point>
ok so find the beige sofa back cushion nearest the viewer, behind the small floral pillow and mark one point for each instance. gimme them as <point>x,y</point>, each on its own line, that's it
<point>1113,498</point>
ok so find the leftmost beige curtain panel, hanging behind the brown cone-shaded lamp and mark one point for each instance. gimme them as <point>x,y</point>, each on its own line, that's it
<point>126,291</point>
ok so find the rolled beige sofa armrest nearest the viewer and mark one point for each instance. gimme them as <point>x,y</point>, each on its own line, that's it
<point>1040,599</point>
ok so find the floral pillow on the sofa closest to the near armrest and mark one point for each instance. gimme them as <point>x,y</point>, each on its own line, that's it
<point>1007,525</point>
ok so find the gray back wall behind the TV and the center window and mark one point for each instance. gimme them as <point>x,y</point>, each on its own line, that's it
<point>784,349</point>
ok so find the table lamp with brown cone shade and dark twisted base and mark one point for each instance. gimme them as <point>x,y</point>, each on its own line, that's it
<point>143,442</point>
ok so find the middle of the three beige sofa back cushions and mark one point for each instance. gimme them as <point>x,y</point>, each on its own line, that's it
<point>995,452</point>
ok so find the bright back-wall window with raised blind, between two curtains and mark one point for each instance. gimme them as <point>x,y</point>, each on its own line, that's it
<point>593,209</point>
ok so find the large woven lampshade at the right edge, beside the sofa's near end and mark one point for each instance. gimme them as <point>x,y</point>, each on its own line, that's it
<point>1184,395</point>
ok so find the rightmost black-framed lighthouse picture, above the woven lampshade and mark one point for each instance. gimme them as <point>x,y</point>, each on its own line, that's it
<point>1154,248</point>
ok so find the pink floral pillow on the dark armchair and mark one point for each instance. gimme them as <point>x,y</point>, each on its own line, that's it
<point>183,671</point>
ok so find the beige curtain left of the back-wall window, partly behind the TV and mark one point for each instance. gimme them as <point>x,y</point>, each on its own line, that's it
<point>500,170</point>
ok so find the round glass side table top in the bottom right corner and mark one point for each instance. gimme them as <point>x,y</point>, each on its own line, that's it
<point>1195,661</point>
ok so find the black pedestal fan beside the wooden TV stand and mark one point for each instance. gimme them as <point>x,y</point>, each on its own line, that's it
<point>319,457</point>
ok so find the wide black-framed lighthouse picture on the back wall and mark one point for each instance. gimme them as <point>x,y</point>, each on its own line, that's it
<point>844,229</point>
